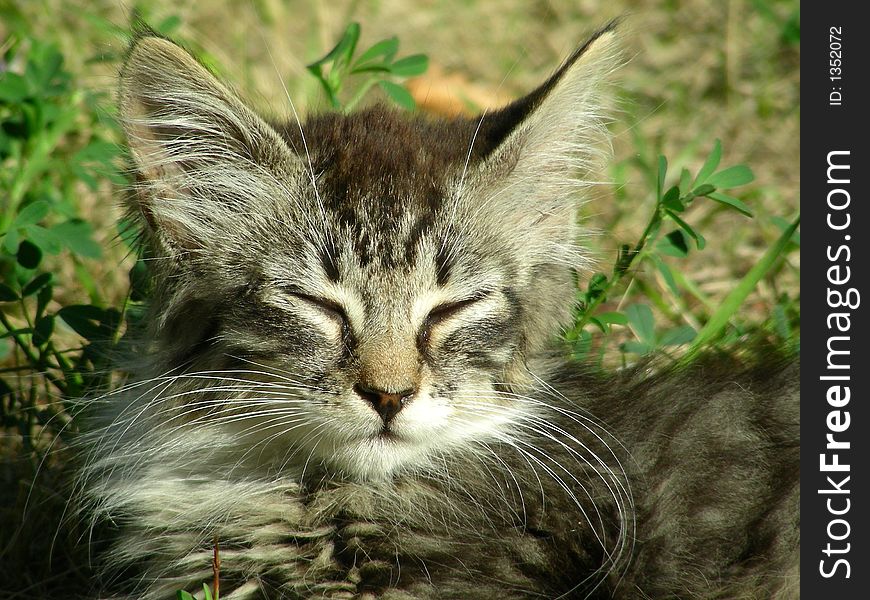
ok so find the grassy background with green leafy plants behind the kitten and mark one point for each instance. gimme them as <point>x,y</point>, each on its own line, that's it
<point>699,239</point>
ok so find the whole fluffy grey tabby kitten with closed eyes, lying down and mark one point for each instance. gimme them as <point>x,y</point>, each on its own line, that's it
<point>351,384</point>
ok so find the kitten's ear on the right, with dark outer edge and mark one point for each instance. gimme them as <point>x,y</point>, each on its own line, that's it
<point>540,149</point>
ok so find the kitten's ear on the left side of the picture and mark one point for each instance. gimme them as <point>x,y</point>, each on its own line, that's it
<point>200,155</point>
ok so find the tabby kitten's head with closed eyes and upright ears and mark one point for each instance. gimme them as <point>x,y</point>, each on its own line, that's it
<point>386,278</point>
